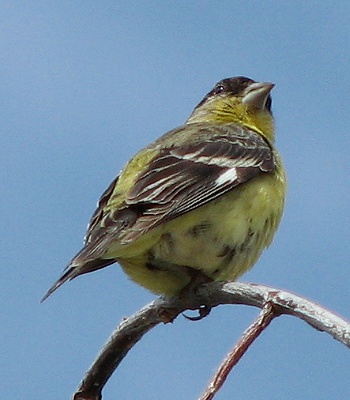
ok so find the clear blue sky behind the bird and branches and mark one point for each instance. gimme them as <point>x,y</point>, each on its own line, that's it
<point>86,84</point>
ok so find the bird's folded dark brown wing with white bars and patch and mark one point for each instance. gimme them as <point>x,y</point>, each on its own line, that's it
<point>180,179</point>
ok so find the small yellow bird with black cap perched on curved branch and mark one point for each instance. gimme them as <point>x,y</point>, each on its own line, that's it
<point>203,200</point>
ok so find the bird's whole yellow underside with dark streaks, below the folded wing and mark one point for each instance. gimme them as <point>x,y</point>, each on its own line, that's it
<point>222,239</point>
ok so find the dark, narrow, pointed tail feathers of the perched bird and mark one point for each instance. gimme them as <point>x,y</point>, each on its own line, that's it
<point>74,270</point>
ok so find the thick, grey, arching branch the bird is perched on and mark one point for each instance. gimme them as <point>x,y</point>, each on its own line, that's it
<point>165,310</point>
